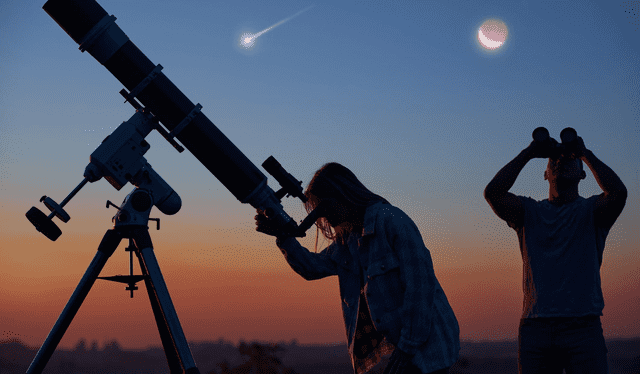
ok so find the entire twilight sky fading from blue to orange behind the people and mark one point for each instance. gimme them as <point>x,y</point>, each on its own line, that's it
<point>400,93</point>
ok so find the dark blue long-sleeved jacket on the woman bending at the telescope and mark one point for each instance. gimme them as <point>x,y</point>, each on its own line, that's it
<point>405,300</point>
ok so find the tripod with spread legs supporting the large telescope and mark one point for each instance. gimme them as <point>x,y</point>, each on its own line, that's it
<point>173,340</point>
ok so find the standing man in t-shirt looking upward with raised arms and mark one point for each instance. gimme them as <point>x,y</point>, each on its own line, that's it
<point>562,240</point>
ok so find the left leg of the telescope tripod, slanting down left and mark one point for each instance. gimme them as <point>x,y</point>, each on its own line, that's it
<point>106,248</point>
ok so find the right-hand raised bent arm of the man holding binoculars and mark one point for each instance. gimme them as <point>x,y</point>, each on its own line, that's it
<point>611,202</point>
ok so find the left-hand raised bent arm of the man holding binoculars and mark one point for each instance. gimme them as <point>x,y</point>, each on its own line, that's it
<point>505,204</point>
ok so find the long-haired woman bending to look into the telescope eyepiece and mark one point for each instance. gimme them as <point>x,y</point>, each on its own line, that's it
<point>391,299</point>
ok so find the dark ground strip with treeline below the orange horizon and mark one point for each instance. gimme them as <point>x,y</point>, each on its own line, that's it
<point>475,357</point>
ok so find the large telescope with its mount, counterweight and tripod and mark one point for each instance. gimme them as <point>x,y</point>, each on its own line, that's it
<point>159,105</point>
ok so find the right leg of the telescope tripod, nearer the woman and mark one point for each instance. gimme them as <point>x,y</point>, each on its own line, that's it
<point>171,334</point>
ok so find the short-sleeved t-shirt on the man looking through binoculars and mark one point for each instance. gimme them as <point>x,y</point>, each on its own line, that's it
<point>562,251</point>
